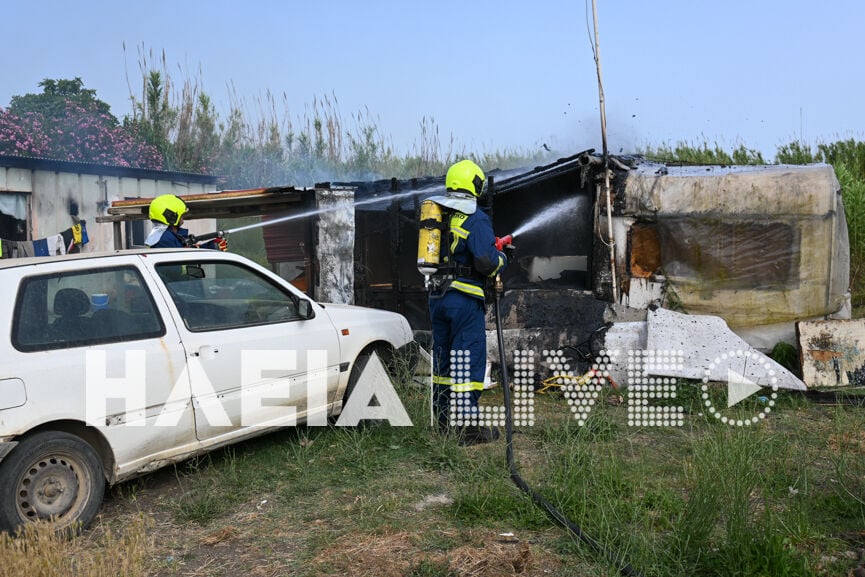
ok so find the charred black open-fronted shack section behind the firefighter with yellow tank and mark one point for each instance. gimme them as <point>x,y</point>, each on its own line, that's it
<point>548,301</point>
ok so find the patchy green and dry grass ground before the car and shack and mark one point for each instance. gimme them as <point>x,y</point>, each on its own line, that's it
<point>782,497</point>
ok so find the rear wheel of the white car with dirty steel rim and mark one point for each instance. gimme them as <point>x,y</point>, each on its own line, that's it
<point>51,476</point>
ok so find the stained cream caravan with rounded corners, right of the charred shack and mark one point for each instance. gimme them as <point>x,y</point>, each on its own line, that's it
<point>761,247</point>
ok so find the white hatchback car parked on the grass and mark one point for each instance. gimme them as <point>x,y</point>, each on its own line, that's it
<point>115,364</point>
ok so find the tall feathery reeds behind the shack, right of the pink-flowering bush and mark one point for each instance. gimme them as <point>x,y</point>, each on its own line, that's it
<point>263,142</point>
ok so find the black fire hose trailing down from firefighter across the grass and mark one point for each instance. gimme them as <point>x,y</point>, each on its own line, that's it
<point>623,567</point>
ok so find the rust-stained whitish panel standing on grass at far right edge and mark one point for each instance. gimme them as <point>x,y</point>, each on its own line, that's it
<point>833,352</point>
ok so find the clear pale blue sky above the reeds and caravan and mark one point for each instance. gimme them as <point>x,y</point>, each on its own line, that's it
<point>490,76</point>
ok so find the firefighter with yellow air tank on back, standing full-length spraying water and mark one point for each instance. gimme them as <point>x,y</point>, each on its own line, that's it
<point>457,305</point>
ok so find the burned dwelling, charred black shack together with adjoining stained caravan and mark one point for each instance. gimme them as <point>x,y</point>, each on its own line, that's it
<point>761,247</point>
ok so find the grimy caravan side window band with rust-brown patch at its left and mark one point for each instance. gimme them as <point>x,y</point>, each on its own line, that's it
<point>716,255</point>
